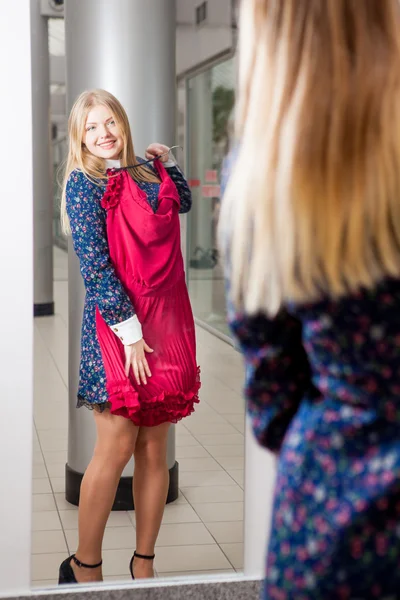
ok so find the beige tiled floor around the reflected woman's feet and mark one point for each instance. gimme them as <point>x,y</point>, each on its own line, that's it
<point>202,530</point>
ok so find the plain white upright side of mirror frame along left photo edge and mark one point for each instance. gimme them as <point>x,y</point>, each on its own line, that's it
<point>16,299</point>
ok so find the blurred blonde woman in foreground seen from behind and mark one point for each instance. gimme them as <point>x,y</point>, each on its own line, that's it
<point>310,226</point>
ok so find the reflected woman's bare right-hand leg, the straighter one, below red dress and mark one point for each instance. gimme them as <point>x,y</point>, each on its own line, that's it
<point>150,489</point>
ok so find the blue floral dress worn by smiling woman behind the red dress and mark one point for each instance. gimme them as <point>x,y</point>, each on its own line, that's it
<point>103,288</point>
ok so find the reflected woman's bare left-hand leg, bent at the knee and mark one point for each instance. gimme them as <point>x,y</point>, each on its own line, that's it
<point>116,437</point>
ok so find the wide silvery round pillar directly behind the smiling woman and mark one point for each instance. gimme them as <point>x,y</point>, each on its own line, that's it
<point>128,48</point>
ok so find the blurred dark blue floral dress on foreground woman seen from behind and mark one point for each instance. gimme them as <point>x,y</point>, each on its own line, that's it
<point>323,391</point>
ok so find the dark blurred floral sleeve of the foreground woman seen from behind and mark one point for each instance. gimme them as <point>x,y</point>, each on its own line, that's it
<point>278,373</point>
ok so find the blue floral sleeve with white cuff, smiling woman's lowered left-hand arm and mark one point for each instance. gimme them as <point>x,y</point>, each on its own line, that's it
<point>89,237</point>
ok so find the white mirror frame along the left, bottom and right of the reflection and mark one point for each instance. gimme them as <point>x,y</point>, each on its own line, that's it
<point>16,351</point>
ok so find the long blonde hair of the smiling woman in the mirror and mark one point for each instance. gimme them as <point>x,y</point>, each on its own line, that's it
<point>78,155</point>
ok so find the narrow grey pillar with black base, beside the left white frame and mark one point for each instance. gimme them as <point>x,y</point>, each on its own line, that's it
<point>42,173</point>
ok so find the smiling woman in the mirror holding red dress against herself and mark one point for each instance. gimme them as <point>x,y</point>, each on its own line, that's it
<point>138,352</point>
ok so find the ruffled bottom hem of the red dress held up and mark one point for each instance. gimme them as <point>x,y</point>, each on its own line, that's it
<point>167,407</point>
